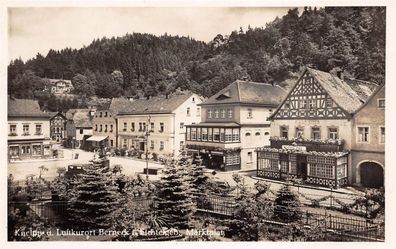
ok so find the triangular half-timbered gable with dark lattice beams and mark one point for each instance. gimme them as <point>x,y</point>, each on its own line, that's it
<point>308,99</point>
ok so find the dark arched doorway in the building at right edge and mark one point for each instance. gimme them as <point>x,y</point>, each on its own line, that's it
<point>371,175</point>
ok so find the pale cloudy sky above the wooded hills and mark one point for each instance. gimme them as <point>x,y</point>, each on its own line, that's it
<point>37,30</point>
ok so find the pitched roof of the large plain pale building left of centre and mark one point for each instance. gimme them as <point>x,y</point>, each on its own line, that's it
<point>154,105</point>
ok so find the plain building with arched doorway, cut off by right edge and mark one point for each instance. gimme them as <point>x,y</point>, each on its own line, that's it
<point>368,141</point>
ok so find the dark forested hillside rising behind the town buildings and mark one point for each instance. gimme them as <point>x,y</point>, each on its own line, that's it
<point>350,39</point>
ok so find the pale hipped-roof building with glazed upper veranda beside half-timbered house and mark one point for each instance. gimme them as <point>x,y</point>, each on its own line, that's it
<point>234,123</point>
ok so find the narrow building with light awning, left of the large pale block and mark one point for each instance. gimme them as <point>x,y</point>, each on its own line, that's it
<point>105,124</point>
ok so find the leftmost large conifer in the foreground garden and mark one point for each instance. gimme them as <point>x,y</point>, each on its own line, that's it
<point>95,197</point>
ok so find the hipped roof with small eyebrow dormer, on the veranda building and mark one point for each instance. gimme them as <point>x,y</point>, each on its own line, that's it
<point>248,92</point>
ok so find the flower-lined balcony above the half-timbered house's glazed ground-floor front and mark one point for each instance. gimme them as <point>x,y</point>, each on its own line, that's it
<point>326,145</point>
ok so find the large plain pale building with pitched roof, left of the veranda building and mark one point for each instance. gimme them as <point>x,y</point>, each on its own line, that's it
<point>163,119</point>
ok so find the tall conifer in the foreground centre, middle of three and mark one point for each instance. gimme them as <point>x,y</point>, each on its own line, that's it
<point>174,197</point>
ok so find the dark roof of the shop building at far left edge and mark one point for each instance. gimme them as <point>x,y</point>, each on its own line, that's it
<point>25,108</point>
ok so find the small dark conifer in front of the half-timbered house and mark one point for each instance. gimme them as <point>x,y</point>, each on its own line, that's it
<point>287,205</point>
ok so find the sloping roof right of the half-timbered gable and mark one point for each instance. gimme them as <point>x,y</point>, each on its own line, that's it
<point>339,90</point>
